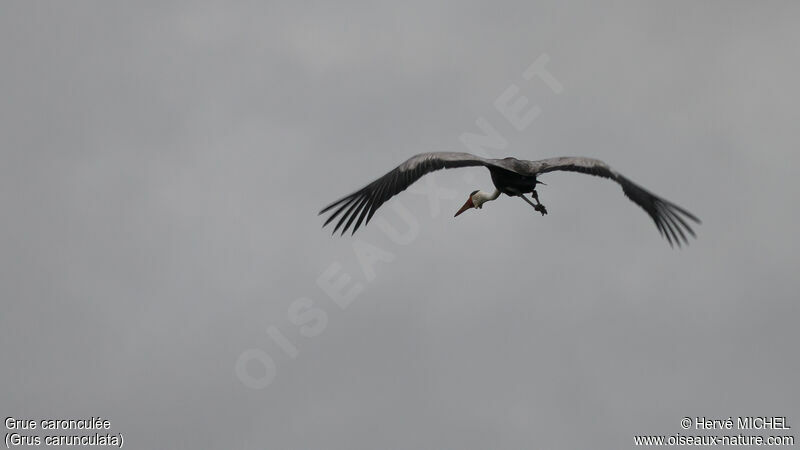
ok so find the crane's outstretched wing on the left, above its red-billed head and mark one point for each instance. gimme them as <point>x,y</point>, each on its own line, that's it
<point>364,202</point>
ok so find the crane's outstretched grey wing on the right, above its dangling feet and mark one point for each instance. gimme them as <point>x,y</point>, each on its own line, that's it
<point>670,218</point>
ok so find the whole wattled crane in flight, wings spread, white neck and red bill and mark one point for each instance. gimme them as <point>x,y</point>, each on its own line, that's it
<point>510,176</point>
